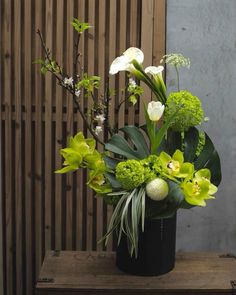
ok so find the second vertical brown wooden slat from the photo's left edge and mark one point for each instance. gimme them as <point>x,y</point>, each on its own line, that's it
<point>19,178</point>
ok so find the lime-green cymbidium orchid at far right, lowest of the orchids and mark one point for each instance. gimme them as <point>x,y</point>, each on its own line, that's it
<point>199,188</point>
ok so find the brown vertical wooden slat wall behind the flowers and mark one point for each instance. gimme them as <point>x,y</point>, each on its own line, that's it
<point>41,210</point>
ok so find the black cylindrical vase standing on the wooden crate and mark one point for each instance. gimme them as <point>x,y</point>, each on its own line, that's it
<point>156,249</point>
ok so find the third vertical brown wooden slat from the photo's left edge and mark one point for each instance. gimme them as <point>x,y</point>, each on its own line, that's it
<point>29,274</point>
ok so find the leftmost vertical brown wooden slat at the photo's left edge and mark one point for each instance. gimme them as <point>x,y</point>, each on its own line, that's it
<point>7,38</point>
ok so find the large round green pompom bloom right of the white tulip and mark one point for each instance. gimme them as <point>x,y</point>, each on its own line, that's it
<point>190,114</point>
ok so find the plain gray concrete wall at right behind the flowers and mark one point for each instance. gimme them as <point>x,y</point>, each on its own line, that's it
<point>205,31</point>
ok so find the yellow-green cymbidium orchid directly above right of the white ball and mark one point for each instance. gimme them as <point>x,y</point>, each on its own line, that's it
<point>175,166</point>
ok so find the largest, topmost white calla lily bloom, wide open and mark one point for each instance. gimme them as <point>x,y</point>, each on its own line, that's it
<point>124,62</point>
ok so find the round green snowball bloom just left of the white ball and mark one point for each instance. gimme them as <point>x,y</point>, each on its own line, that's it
<point>130,174</point>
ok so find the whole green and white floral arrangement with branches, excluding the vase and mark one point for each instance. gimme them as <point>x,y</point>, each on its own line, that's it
<point>148,171</point>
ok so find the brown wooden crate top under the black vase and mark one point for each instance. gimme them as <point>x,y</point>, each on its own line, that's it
<point>70,272</point>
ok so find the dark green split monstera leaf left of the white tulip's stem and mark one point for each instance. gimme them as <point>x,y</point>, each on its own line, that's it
<point>120,146</point>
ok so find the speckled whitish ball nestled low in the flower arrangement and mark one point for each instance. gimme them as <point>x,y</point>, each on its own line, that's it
<point>157,189</point>
